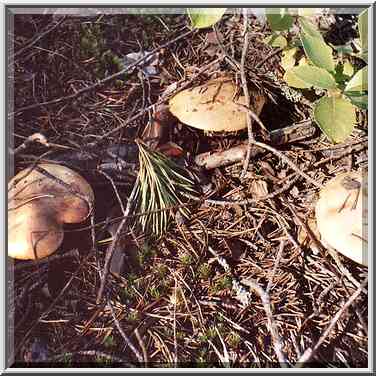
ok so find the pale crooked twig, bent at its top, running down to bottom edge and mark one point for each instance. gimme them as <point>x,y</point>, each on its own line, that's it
<point>272,327</point>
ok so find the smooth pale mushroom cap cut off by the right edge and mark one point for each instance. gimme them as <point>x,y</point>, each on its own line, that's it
<point>341,215</point>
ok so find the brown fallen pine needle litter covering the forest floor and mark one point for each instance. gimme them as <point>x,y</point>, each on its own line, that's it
<point>177,303</point>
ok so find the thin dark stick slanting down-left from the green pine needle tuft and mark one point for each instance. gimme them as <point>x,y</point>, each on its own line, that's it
<point>114,243</point>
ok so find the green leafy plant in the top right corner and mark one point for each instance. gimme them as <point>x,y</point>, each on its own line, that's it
<point>344,89</point>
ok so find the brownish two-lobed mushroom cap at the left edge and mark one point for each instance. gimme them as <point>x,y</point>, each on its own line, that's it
<point>40,200</point>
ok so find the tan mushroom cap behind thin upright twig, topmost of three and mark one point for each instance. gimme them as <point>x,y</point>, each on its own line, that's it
<point>215,106</point>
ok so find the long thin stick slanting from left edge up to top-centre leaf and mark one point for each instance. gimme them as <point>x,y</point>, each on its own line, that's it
<point>101,82</point>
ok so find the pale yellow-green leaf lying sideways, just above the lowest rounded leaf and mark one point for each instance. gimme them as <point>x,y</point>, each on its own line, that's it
<point>306,76</point>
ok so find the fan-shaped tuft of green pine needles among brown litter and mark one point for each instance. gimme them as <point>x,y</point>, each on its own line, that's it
<point>164,189</point>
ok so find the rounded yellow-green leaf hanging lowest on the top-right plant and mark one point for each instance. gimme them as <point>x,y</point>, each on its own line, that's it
<point>336,117</point>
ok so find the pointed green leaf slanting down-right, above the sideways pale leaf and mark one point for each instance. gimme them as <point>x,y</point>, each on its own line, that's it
<point>318,52</point>
